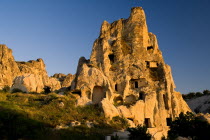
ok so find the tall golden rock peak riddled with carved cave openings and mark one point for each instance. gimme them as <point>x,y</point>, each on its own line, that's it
<point>127,68</point>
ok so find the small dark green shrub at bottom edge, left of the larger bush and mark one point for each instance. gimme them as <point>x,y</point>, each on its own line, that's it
<point>139,133</point>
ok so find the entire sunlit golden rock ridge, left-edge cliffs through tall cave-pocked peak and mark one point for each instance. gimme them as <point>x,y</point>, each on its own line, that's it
<point>126,76</point>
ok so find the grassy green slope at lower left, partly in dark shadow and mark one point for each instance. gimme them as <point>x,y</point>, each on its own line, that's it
<point>41,116</point>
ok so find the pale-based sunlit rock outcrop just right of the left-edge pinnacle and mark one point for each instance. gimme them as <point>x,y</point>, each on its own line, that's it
<point>34,77</point>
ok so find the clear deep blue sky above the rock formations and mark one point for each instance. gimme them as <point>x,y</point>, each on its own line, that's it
<point>61,31</point>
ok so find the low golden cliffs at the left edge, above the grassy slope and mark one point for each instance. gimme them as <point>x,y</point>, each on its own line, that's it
<point>28,76</point>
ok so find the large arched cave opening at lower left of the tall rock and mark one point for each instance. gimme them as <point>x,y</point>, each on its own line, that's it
<point>98,94</point>
